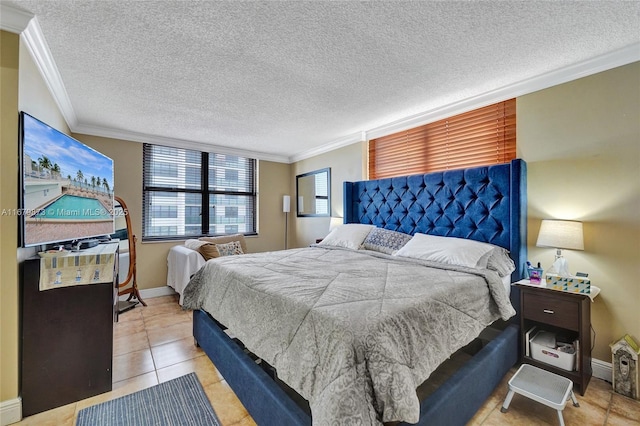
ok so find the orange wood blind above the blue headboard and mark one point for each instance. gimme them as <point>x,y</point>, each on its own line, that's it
<point>480,137</point>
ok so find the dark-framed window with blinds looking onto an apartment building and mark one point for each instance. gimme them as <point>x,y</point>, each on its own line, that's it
<point>179,182</point>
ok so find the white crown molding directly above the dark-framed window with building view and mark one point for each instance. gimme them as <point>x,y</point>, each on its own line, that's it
<point>174,142</point>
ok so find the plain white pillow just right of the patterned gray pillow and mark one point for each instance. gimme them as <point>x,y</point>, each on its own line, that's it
<point>449,250</point>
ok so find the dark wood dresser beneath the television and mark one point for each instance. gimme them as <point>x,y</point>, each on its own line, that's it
<point>66,340</point>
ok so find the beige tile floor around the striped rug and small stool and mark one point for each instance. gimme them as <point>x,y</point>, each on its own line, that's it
<point>153,344</point>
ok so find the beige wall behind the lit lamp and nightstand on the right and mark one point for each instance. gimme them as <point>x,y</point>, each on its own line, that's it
<point>581,141</point>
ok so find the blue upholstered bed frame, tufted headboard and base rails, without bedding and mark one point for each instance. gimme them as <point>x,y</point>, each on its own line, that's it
<point>486,204</point>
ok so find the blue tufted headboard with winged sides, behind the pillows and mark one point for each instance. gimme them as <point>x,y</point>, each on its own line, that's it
<point>482,203</point>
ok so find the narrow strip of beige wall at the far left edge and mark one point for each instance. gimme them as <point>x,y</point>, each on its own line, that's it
<point>9,59</point>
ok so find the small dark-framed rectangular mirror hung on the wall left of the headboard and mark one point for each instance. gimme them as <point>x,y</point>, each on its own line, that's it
<point>313,193</point>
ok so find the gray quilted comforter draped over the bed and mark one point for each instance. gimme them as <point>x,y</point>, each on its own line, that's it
<point>354,332</point>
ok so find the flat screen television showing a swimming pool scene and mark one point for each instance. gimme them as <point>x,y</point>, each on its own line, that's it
<point>66,187</point>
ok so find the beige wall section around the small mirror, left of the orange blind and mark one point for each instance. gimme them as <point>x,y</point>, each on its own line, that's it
<point>346,165</point>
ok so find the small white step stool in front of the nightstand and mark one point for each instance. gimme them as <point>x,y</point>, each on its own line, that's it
<point>542,386</point>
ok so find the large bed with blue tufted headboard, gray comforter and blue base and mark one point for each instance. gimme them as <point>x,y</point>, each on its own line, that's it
<point>484,204</point>
